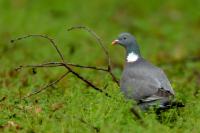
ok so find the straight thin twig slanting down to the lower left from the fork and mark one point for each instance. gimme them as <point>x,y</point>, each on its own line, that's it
<point>48,85</point>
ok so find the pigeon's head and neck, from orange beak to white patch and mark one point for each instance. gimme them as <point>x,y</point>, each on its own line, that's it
<point>128,41</point>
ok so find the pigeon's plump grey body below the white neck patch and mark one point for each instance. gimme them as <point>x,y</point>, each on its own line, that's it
<point>143,81</point>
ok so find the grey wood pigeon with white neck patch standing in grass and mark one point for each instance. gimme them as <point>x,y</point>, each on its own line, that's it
<point>142,81</point>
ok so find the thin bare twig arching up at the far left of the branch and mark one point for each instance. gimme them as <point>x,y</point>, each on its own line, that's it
<point>42,36</point>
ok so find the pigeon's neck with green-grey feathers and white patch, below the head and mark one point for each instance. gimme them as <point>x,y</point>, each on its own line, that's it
<point>132,54</point>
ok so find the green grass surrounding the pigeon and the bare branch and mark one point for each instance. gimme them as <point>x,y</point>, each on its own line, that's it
<point>168,34</point>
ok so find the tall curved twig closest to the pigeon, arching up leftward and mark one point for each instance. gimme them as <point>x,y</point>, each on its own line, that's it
<point>109,69</point>
